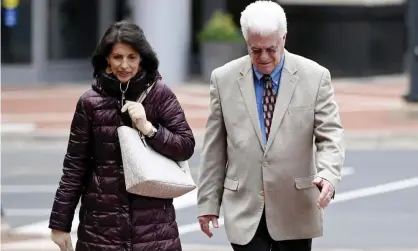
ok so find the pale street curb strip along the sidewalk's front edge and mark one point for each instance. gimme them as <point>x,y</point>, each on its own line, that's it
<point>353,139</point>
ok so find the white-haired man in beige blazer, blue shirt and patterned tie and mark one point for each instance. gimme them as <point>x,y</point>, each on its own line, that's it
<point>273,148</point>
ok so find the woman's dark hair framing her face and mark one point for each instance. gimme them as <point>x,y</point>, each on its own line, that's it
<point>127,33</point>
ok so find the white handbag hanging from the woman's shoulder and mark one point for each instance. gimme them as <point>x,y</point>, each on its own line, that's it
<point>149,173</point>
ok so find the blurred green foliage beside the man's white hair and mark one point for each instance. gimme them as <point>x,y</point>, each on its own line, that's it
<point>220,28</point>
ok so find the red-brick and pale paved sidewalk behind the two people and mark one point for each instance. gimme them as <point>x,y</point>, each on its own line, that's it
<point>371,109</point>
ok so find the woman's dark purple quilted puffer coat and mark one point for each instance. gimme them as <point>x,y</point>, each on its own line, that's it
<point>110,218</point>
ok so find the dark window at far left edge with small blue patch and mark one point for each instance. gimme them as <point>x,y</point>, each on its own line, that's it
<point>16,35</point>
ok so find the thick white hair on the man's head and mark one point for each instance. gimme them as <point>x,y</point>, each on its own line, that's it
<point>263,18</point>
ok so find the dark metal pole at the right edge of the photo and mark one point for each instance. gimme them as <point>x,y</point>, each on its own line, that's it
<point>412,17</point>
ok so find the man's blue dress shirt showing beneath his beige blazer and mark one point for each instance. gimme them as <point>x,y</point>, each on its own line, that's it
<point>259,92</point>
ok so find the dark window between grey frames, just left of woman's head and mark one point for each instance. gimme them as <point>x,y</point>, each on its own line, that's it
<point>72,29</point>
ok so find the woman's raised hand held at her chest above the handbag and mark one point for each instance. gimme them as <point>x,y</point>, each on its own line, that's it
<point>137,113</point>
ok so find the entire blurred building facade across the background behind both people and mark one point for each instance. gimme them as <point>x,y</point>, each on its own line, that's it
<point>52,40</point>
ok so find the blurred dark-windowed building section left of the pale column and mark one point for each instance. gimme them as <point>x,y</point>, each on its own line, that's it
<point>53,40</point>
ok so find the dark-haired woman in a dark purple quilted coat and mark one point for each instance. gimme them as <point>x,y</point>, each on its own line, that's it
<point>111,219</point>
